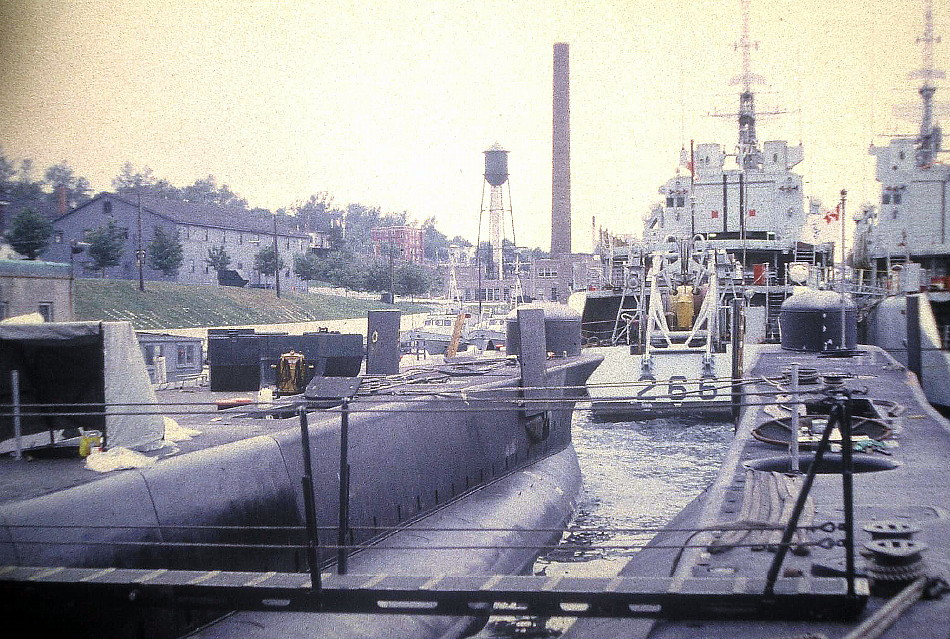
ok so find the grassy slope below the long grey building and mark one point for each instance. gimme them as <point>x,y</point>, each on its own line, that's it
<point>167,305</point>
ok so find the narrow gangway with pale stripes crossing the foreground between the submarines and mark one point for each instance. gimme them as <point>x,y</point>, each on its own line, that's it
<point>454,595</point>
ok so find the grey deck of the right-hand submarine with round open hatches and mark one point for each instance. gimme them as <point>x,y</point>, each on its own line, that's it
<point>905,482</point>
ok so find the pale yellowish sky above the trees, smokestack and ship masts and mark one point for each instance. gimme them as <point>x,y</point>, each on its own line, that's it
<point>391,103</point>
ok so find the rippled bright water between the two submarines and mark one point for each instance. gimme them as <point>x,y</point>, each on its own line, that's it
<point>637,474</point>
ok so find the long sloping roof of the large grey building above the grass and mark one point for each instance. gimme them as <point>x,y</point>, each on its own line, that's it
<point>210,215</point>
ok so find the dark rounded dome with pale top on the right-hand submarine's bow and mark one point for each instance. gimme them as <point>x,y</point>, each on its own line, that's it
<point>811,321</point>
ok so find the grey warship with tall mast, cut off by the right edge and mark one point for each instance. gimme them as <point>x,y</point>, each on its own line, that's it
<point>904,240</point>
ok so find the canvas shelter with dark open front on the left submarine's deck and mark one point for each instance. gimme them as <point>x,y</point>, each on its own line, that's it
<point>91,363</point>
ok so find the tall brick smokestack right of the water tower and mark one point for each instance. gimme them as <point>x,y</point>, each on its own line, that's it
<point>561,154</point>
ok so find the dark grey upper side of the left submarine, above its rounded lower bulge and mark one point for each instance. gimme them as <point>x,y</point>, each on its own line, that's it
<point>407,459</point>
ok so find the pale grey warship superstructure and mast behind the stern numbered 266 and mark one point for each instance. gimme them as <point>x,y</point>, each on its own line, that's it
<point>747,203</point>
